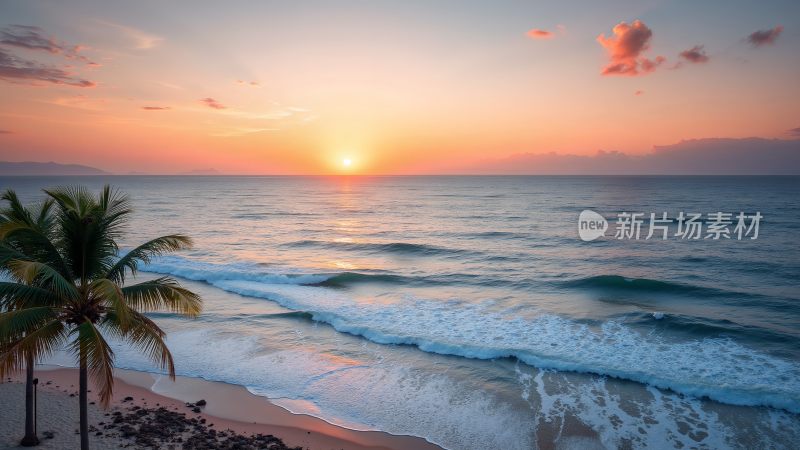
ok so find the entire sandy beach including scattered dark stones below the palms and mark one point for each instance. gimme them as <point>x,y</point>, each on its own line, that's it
<point>148,410</point>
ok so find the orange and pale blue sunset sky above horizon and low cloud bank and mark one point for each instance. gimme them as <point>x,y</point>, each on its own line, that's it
<point>395,87</point>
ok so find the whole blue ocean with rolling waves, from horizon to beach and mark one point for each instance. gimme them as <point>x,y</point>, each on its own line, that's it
<point>467,310</point>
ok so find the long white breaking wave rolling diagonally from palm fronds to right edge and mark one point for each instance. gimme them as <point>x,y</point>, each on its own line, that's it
<point>716,367</point>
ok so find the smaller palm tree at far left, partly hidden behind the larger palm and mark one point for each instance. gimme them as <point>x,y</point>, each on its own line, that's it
<point>26,229</point>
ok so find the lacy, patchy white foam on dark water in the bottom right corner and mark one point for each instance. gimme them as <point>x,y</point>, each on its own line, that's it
<point>645,417</point>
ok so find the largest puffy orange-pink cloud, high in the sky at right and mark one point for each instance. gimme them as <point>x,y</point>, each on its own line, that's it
<point>626,49</point>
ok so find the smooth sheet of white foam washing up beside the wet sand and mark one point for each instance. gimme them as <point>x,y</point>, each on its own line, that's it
<point>358,394</point>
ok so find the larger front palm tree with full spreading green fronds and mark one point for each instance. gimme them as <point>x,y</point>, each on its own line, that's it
<point>77,296</point>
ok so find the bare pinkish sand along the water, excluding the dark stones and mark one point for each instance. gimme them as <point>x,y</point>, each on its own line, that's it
<point>228,407</point>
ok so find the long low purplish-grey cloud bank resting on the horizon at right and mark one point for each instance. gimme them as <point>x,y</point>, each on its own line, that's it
<point>751,156</point>
